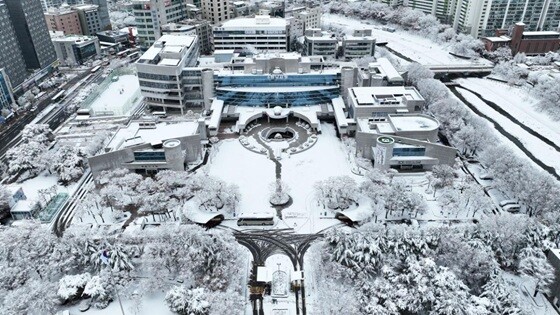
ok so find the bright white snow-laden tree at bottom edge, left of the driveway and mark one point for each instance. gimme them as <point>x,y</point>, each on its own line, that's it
<point>187,302</point>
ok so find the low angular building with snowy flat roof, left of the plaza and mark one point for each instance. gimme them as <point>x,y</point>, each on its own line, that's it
<point>146,147</point>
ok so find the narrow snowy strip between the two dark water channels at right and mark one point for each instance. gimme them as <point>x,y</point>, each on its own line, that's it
<point>547,154</point>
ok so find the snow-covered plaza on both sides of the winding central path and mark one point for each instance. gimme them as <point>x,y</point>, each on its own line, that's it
<point>254,172</point>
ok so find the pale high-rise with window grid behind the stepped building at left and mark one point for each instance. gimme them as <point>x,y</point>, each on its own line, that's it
<point>150,15</point>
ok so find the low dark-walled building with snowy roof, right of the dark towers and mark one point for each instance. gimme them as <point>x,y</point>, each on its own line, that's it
<point>76,49</point>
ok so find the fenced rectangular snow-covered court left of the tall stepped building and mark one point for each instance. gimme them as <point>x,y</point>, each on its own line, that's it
<point>119,97</point>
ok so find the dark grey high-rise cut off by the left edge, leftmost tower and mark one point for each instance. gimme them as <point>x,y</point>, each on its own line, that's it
<point>11,57</point>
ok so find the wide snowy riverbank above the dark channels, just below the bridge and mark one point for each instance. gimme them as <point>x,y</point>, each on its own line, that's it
<point>517,103</point>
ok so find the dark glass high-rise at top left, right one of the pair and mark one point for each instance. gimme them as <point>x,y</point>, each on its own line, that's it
<point>32,33</point>
